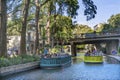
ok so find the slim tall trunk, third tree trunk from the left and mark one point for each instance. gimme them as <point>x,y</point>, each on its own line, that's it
<point>37,26</point>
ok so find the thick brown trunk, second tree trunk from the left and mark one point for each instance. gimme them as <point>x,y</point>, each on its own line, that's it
<point>24,24</point>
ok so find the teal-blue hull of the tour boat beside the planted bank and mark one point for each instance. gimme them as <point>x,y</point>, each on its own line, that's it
<point>52,62</point>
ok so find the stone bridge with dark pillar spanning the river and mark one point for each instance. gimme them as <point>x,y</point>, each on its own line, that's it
<point>110,40</point>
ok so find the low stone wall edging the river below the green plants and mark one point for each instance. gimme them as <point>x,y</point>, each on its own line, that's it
<point>18,68</point>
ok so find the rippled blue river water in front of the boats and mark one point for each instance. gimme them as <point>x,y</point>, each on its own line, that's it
<point>77,71</point>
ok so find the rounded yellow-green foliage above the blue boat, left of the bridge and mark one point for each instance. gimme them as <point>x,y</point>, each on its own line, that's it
<point>62,29</point>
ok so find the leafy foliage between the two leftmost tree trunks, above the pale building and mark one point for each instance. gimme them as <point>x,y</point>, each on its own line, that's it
<point>14,14</point>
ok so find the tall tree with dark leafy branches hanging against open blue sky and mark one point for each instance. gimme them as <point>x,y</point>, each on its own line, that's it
<point>69,7</point>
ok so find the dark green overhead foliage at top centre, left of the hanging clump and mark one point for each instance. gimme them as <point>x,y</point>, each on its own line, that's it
<point>68,7</point>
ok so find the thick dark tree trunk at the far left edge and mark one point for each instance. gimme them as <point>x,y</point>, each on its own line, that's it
<point>3,26</point>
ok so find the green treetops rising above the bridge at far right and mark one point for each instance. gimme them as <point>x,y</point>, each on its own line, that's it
<point>113,24</point>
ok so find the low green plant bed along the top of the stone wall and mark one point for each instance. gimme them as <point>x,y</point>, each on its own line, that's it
<point>4,62</point>
